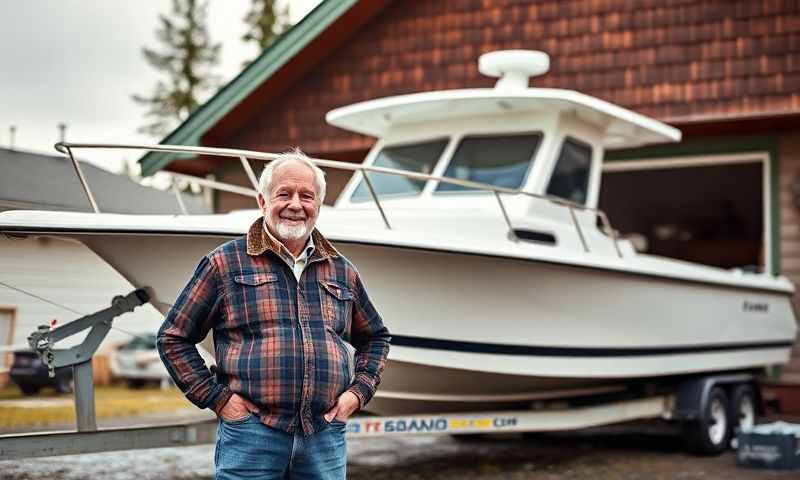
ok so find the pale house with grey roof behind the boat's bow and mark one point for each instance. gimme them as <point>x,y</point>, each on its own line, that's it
<point>44,279</point>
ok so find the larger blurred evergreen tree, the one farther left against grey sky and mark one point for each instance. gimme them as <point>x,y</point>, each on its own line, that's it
<point>186,57</point>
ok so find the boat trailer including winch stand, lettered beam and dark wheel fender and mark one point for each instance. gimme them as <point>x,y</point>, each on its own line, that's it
<point>685,403</point>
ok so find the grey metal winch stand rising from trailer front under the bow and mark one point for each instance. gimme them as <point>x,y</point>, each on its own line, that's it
<point>79,357</point>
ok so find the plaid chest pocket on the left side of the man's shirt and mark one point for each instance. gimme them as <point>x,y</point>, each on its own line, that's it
<point>257,298</point>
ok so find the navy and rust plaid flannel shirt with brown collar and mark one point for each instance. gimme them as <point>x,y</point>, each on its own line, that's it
<point>279,342</point>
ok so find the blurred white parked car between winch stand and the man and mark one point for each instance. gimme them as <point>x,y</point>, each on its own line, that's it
<point>137,362</point>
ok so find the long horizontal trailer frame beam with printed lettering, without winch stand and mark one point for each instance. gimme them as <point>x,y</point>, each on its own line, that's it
<point>14,447</point>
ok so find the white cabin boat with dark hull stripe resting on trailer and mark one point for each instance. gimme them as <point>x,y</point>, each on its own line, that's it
<point>484,255</point>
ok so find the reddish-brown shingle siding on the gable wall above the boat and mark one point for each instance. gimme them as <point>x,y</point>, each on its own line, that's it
<point>676,60</point>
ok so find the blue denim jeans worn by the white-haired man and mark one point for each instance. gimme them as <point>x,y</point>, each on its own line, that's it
<point>249,449</point>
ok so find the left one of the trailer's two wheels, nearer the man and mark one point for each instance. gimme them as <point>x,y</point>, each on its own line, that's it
<point>710,434</point>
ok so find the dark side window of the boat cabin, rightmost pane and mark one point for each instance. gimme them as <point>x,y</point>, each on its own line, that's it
<point>570,178</point>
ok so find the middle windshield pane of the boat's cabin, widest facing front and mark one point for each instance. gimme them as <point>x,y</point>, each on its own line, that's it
<point>502,160</point>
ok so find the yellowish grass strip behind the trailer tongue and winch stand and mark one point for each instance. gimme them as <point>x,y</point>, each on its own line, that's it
<point>110,402</point>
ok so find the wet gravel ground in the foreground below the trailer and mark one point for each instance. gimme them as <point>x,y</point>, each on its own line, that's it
<point>617,453</point>
